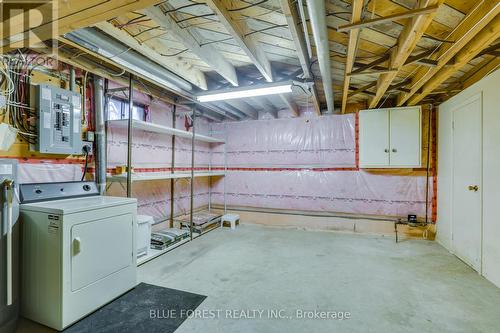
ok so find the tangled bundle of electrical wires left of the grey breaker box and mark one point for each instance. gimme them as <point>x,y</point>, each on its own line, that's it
<point>17,72</point>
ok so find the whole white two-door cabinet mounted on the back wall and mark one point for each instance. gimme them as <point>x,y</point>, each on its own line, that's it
<point>390,138</point>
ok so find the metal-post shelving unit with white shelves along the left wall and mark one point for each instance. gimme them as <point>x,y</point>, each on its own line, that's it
<point>129,178</point>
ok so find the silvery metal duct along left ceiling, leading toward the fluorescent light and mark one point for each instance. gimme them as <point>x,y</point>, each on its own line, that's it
<point>108,47</point>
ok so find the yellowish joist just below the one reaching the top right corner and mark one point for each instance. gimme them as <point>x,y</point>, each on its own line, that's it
<point>487,36</point>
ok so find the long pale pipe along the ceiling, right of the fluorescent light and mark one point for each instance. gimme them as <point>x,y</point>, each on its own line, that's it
<point>317,15</point>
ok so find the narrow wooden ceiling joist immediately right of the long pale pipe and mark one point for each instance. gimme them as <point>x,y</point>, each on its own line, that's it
<point>357,10</point>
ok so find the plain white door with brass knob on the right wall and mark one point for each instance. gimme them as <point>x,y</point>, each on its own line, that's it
<point>467,186</point>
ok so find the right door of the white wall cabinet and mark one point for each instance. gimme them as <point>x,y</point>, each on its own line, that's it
<point>405,139</point>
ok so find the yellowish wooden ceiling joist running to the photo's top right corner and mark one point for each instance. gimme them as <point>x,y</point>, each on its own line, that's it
<point>465,32</point>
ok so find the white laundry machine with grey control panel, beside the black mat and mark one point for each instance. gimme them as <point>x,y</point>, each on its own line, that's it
<point>78,253</point>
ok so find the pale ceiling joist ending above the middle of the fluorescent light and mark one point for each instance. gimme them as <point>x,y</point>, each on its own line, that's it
<point>209,54</point>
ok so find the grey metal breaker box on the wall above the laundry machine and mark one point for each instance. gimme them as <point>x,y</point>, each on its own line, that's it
<point>59,120</point>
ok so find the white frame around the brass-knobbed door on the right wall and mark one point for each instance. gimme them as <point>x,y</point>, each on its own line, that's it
<point>477,96</point>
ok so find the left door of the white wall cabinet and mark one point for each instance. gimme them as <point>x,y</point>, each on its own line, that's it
<point>373,138</point>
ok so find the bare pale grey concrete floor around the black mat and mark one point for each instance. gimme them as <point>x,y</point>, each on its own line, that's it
<point>413,286</point>
